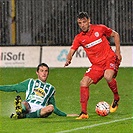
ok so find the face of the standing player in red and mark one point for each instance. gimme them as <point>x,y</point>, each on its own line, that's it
<point>84,24</point>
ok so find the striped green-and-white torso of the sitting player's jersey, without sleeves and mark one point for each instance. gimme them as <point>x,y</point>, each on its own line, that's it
<point>39,92</point>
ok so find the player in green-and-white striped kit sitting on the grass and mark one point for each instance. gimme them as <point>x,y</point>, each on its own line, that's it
<point>39,101</point>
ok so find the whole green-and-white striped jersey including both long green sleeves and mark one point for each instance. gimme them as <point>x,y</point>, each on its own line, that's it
<point>36,92</point>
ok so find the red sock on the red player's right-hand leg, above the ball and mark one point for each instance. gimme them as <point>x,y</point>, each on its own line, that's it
<point>113,86</point>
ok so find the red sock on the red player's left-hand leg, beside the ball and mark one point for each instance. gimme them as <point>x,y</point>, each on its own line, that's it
<point>84,96</point>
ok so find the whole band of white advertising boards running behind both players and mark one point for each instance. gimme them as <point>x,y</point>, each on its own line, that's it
<point>30,56</point>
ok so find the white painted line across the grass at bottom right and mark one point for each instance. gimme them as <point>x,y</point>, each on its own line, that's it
<point>95,125</point>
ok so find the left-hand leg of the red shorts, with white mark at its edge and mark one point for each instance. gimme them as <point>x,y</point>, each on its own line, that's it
<point>95,73</point>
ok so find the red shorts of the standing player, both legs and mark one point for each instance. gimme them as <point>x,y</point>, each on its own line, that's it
<point>96,72</point>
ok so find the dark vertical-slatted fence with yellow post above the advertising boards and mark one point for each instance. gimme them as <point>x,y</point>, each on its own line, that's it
<point>53,22</point>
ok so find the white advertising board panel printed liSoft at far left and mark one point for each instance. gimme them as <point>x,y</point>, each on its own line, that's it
<point>19,56</point>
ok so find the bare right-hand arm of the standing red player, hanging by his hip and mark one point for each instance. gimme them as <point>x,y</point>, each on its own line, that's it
<point>116,37</point>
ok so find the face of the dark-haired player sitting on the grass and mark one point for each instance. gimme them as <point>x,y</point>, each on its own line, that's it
<point>42,73</point>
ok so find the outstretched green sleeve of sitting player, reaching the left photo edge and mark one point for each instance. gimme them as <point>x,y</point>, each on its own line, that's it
<point>19,87</point>
